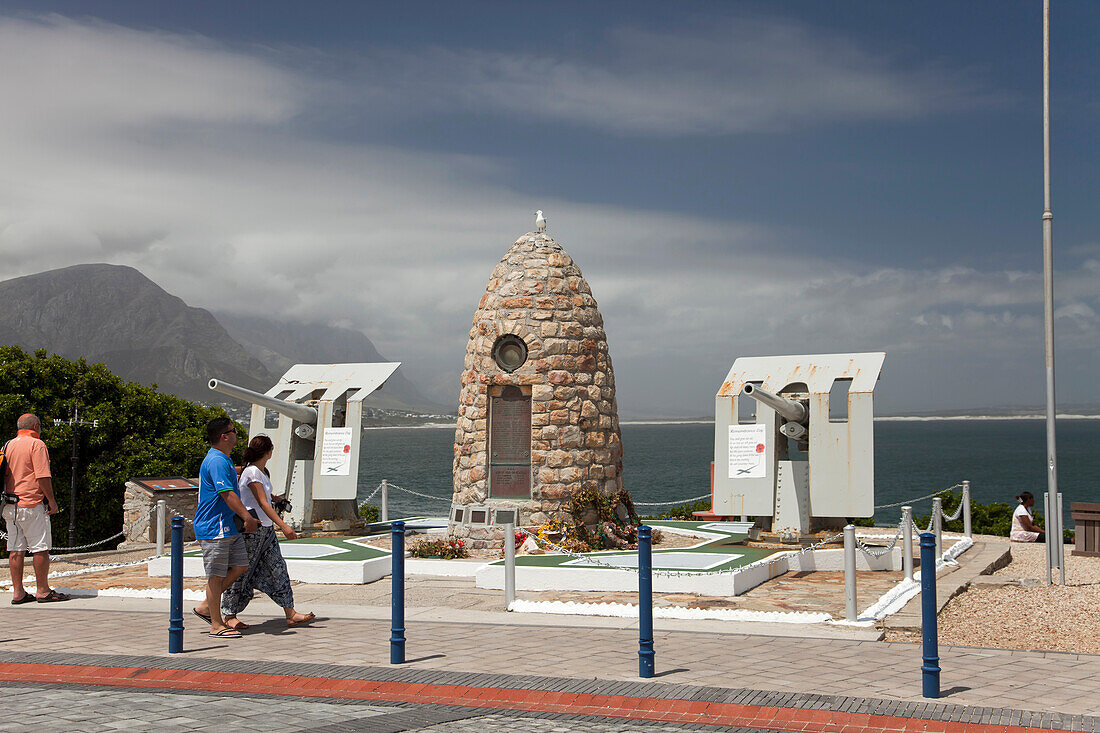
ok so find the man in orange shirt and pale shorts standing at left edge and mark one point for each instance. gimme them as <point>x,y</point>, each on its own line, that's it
<point>28,479</point>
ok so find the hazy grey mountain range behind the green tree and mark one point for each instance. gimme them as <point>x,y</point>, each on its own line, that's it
<point>116,315</point>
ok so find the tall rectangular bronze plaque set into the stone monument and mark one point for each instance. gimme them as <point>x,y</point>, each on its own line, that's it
<point>511,444</point>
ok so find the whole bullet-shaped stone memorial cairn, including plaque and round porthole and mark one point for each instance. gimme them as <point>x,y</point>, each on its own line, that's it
<point>538,429</point>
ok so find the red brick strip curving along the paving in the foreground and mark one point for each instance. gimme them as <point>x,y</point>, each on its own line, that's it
<point>603,706</point>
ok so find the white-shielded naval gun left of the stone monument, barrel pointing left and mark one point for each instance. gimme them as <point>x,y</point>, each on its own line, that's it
<point>317,439</point>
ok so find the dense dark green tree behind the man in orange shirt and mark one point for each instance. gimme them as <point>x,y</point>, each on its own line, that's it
<point>141,432</point>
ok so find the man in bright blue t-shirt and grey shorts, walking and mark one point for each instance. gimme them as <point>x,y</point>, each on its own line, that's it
<point>224,554</point>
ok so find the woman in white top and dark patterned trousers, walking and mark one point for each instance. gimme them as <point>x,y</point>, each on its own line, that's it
<point>267,567</point>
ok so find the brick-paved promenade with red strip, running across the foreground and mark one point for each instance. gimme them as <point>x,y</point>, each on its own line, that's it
<point>466,671</point>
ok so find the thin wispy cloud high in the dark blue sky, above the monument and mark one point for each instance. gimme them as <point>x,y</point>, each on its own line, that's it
<point>743,74</point>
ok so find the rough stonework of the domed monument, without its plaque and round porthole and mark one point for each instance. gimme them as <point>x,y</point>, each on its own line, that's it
<point>538,294</point>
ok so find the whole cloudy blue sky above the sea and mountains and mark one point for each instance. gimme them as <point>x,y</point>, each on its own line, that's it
<point>733,179</point>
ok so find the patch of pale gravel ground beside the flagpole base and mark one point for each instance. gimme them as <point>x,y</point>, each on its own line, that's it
<point>1054,618</point>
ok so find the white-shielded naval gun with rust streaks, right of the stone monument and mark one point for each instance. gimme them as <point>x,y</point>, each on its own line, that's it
<point>798,464</point>
